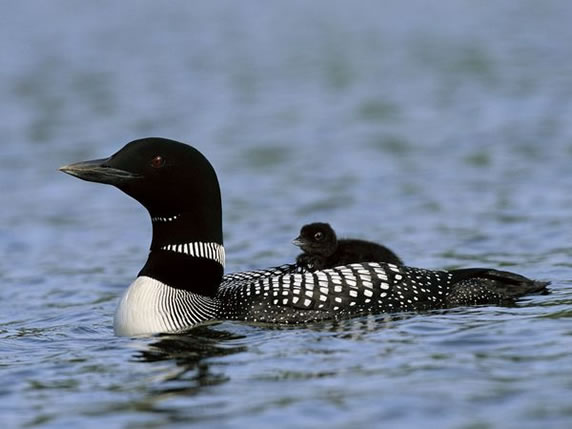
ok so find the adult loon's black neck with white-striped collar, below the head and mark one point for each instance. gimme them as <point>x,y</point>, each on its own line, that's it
<point>187,251</point>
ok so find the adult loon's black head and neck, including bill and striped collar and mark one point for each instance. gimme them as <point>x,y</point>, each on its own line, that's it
<point>179,188</point>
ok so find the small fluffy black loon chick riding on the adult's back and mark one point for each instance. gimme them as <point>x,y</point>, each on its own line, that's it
<point>322,249</point>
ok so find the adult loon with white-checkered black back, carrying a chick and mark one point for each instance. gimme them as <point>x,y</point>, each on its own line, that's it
<point>182,284</point>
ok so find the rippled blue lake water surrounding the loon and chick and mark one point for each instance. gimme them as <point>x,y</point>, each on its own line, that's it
<point>441,129</point>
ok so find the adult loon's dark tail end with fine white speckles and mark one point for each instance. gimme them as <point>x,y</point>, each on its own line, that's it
<point>475,286</point>
